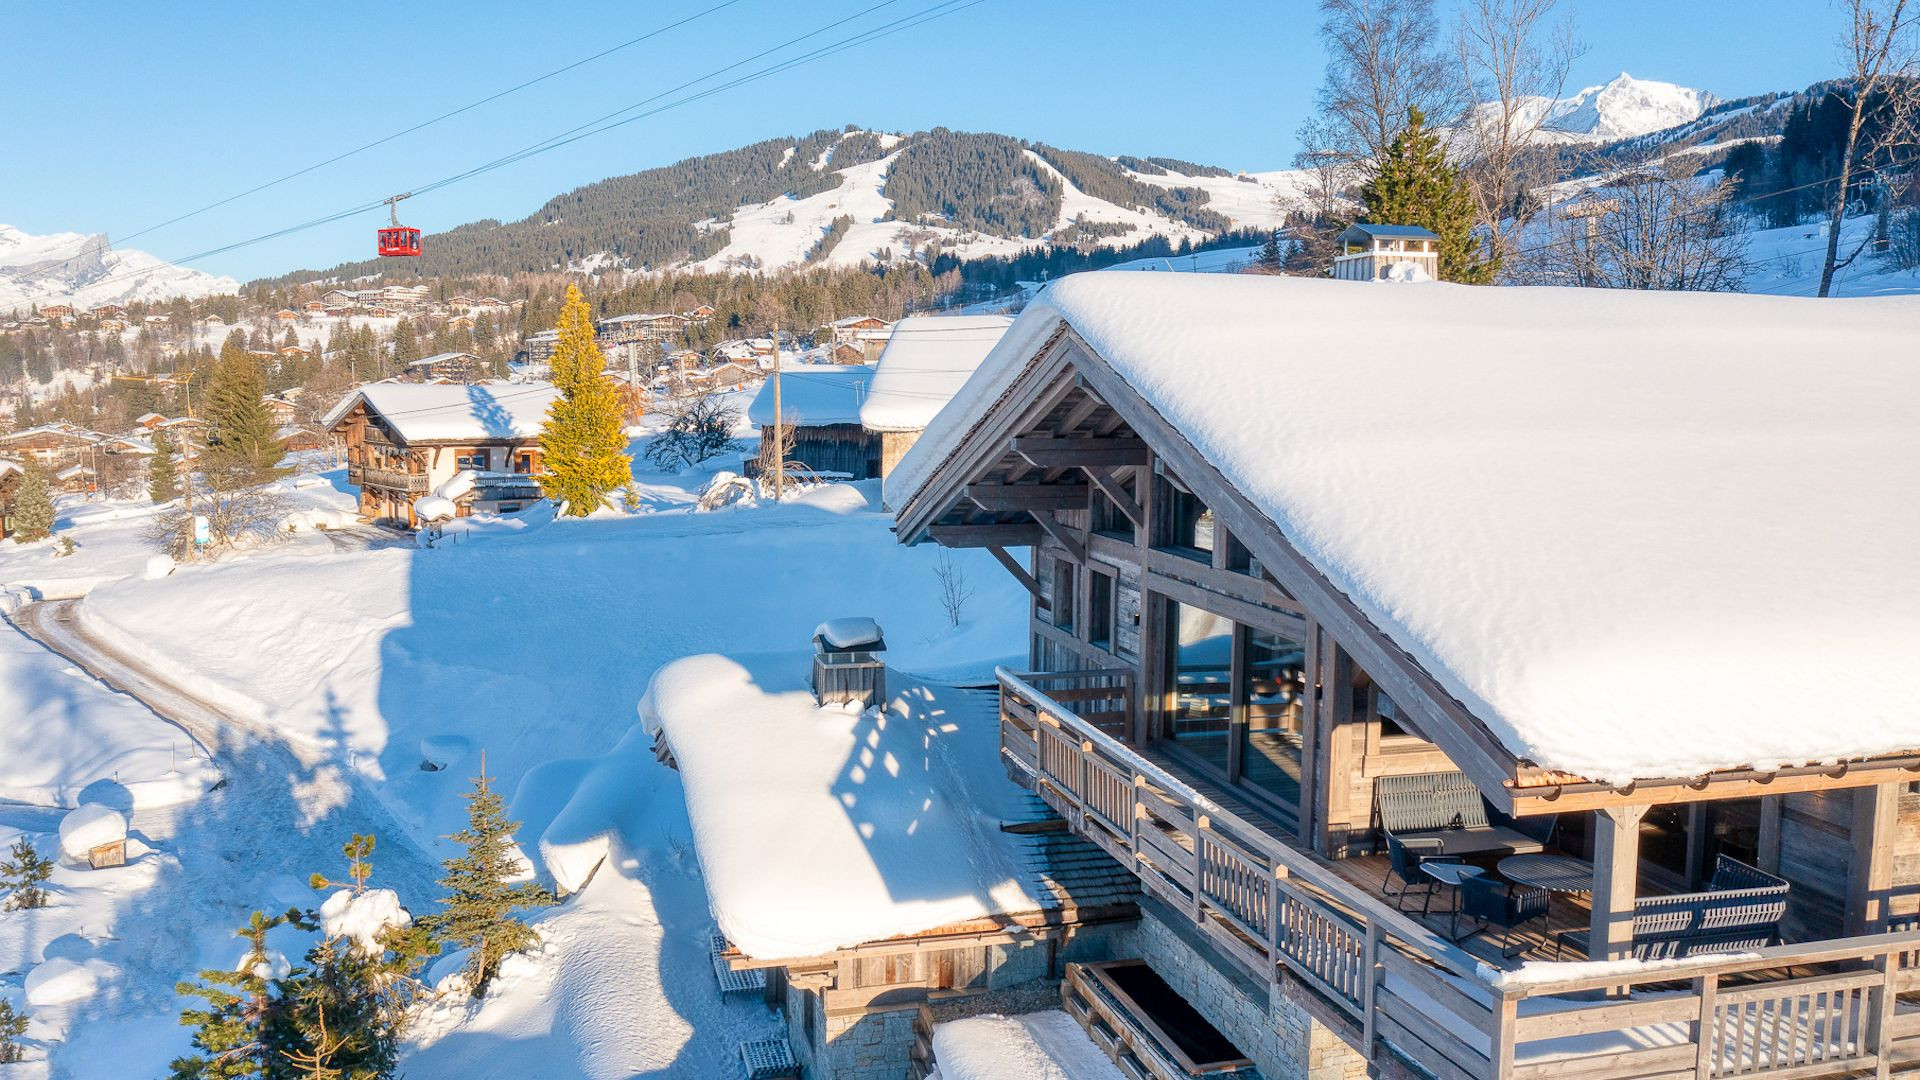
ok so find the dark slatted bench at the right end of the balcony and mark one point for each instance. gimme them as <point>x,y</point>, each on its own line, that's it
<point>1740,912</point>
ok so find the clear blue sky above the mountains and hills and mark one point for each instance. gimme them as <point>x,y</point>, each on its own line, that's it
<point>122,116</point>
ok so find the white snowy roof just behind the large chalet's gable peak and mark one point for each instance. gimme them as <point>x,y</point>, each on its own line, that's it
<point>926,362</point>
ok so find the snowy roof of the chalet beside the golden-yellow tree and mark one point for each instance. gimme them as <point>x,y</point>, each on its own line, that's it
<point>450,412</point>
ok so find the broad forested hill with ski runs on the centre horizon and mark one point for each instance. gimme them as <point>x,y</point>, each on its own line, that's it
<point>965,184</point>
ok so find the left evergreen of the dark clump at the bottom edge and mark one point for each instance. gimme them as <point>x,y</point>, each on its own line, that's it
<point>243,1031</point>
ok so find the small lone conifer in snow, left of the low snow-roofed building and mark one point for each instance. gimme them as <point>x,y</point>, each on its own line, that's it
<point>481,904</point>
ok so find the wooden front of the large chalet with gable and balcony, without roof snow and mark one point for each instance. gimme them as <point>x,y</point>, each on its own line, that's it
<point>1216,716</point>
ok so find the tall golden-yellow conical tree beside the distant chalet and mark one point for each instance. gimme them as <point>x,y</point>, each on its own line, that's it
<point>583,445</point>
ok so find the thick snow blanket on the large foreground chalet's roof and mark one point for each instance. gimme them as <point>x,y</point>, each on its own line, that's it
<point>1606,522</point>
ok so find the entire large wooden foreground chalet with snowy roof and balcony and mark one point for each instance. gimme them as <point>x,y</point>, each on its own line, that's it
<point>1347,652</point>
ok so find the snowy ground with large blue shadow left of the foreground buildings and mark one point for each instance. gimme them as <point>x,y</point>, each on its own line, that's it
<point>335,664</point>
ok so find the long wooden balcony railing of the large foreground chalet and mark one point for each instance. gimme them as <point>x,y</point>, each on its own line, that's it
<point>1324,933</point>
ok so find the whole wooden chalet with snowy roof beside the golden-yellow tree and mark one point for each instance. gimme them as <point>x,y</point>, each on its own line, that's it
<point>406,441</point>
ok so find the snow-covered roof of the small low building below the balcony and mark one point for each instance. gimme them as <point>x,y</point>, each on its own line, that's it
<point>827,827</point>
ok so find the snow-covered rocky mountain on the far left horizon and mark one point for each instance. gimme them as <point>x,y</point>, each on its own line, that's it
<point>84,270</point>
